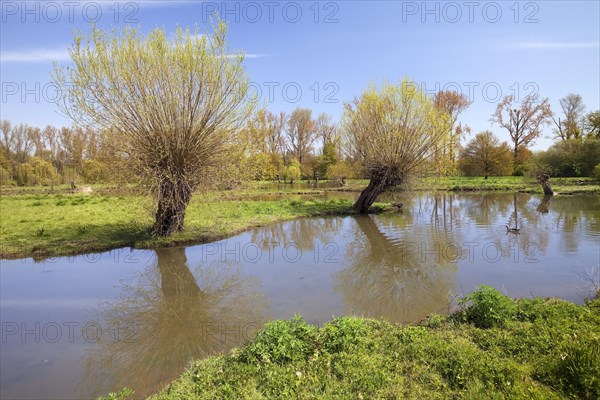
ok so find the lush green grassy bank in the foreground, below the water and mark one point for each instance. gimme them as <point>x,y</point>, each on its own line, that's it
<point>495,348</point>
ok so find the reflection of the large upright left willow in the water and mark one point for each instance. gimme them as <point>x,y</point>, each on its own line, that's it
<point>169,316</point>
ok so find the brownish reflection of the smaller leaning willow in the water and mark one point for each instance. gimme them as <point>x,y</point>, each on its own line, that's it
<point>402,279</point>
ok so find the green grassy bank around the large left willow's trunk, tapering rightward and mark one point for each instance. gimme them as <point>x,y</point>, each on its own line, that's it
<point>42,225</point>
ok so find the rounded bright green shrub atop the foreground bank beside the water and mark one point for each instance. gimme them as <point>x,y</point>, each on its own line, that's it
<point>488,308</point>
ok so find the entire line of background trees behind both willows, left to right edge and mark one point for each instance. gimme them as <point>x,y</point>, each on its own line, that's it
<point>300,146</point>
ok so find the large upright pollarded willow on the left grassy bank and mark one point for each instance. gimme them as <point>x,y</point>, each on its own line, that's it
<point>172,108</point>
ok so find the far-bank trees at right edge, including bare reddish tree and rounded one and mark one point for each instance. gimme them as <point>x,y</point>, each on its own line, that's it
<point>575,153</point>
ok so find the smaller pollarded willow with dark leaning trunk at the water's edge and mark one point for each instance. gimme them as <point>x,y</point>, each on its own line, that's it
<point>390,131</point>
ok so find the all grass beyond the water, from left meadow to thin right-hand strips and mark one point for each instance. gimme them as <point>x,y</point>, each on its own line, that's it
<point>52,225</point>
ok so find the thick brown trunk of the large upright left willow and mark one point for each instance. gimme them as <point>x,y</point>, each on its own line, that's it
<point>173,199</point>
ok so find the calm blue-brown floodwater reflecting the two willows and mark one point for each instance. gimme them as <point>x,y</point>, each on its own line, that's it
<point>79,327</point>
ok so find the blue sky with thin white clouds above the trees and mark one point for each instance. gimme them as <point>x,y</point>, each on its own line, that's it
<point>332,50</point>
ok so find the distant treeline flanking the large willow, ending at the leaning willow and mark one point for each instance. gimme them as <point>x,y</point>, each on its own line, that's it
<point>273,146</point>
